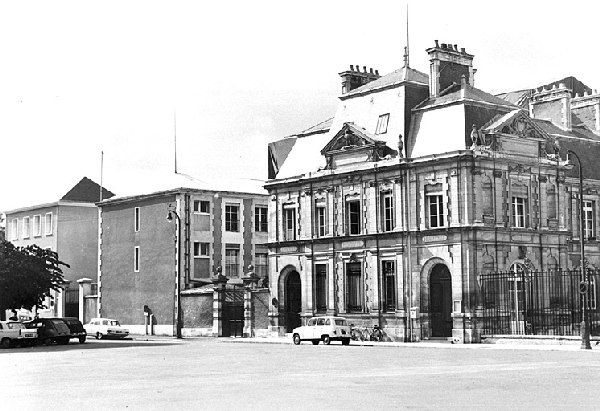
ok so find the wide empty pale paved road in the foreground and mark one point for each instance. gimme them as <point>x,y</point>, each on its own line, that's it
<point>217,374</point>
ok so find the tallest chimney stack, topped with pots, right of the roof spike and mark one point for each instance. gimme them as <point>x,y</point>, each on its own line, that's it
<point>447,65</point>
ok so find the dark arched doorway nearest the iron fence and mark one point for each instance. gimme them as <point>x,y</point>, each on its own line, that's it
<point>440,301</point>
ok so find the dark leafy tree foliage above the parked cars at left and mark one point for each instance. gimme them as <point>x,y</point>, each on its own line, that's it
<point>27,275</point>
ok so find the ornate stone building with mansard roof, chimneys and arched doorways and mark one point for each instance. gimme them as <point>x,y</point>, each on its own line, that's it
<point>389,212</point>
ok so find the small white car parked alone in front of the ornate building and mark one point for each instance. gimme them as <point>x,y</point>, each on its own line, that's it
<point>324,329</point>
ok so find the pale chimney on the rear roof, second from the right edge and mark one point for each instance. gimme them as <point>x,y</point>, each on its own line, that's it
<point>552,104</point>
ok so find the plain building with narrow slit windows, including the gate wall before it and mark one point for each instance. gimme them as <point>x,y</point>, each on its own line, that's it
<point>165,255</point>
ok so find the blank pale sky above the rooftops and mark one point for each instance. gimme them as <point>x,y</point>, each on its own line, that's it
<point>123,78</point>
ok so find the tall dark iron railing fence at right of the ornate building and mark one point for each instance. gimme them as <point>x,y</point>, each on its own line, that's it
<point>538,302</point>
